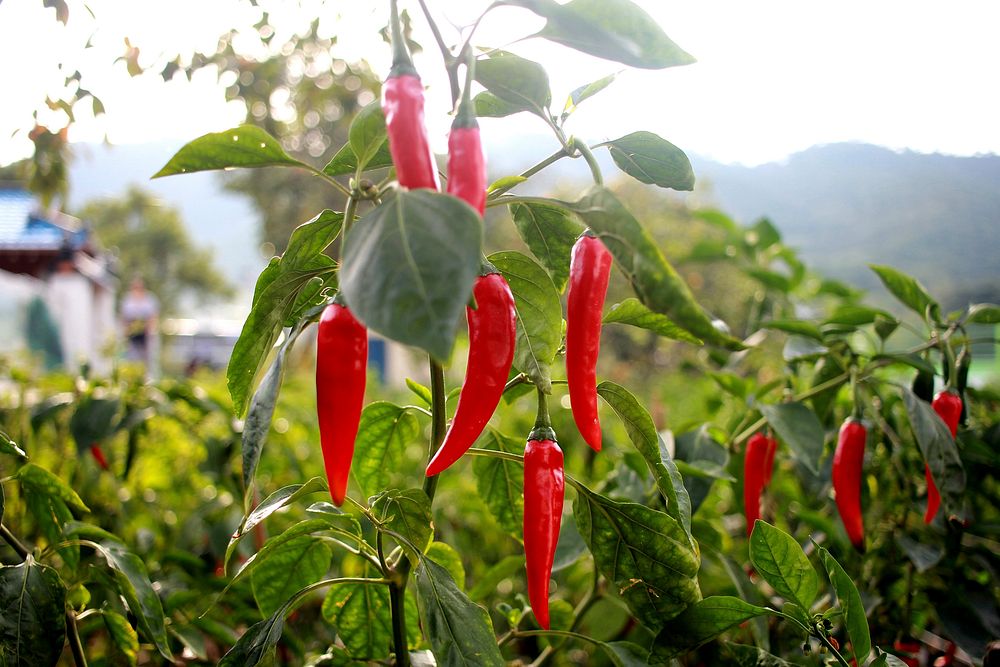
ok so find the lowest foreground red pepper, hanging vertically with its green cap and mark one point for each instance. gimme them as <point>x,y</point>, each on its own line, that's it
<point>544,488</point>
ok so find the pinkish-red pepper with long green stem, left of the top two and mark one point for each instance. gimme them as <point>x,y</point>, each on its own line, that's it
<point>403,106</point>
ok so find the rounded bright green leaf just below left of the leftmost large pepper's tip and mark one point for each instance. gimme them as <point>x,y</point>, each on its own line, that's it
<point>294,564</point>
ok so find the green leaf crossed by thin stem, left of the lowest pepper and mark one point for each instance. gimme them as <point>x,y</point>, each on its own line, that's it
<point>500,482</point>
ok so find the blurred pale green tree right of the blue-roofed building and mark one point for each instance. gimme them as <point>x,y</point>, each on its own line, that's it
<point>151,242</point>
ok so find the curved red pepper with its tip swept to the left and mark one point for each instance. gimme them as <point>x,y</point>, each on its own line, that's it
<point>492,327</point>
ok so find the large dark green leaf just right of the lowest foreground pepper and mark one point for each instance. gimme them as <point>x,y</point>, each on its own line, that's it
<point>645,555</point>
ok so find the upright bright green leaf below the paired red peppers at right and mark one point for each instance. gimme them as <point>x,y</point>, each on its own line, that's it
<point>780,560</point>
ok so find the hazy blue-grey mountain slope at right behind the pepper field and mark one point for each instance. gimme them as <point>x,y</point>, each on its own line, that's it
<point>844,206</point>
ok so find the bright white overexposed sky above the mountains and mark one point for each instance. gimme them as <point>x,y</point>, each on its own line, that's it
<point>773,77</point>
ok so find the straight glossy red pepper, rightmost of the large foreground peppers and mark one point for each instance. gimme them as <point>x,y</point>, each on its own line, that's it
<point>589,271</point>
